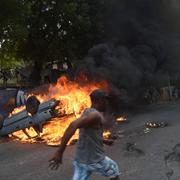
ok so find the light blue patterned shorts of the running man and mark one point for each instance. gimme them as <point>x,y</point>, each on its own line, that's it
<point>106,167</point>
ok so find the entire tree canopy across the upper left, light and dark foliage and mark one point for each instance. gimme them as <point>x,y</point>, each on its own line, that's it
<point>48,30</point>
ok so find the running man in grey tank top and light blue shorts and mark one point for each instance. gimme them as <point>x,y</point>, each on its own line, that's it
<point>90,156</point>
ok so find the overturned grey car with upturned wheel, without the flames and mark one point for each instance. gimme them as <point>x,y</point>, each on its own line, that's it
<point>33,116</point>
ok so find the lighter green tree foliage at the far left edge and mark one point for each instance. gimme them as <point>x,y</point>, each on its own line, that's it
<point>12,31</point>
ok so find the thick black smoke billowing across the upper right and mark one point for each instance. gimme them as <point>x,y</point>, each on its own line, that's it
<point>142,47</point>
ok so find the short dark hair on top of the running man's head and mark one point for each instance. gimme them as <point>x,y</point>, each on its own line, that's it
<point>98,94</point>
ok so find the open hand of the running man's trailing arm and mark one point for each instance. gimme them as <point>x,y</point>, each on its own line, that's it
<point>55,161</point>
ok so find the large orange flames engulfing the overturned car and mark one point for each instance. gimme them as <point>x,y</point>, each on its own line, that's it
<point>74,98</point>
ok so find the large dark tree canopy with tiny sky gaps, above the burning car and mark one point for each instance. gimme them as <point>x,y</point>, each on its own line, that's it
<point>58,29</point>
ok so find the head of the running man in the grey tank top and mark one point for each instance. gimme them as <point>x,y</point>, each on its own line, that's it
<point>99,99</point>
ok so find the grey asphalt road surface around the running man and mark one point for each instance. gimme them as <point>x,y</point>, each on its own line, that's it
<point>141,155</point>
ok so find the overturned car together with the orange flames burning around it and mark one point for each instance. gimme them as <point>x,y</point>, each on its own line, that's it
<point>45,117</point>
